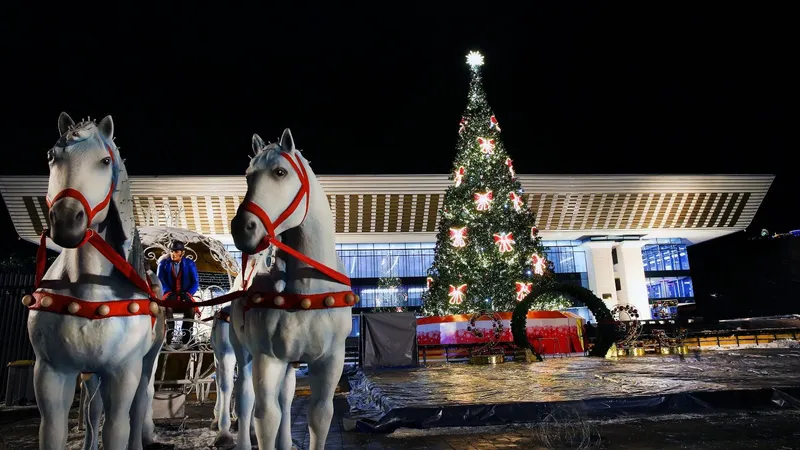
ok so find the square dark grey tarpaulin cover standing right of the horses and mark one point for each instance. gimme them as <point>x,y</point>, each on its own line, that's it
<point>389,340</point>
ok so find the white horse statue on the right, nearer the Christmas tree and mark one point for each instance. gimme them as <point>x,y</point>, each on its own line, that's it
<point>300,313</point>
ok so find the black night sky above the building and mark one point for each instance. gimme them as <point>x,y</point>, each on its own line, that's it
<point>381,91</point>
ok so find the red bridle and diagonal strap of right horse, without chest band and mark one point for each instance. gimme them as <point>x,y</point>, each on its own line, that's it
<point>270,226</point>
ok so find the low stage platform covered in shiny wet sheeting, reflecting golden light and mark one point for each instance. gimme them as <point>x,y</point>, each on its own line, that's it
<point>458,395</point>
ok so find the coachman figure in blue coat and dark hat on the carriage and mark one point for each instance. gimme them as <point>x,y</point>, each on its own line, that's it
<point>179,281</point>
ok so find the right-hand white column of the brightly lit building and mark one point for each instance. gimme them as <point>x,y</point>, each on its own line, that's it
<point>631,276</point>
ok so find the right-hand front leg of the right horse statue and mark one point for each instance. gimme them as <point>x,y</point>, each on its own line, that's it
<point>323,376</point>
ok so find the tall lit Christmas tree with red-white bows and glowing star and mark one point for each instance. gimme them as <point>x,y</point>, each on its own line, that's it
<point>488,252</point>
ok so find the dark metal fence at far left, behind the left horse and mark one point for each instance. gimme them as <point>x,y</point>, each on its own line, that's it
<point>14,342</point>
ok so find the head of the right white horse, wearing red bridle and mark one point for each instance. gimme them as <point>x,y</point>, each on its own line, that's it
<point>277,196</point>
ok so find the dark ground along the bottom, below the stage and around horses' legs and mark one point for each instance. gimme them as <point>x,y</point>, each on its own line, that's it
<point>728,431</point>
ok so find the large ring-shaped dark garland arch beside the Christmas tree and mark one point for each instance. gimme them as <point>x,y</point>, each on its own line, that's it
<point>581,297</point>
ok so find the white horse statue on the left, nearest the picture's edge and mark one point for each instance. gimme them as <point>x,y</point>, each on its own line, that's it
<point>93,312</point>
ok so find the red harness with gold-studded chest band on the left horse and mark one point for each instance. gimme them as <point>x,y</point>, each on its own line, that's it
<point>62,304</point>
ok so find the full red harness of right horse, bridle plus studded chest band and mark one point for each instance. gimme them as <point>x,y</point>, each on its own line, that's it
<point>284,300</point>
